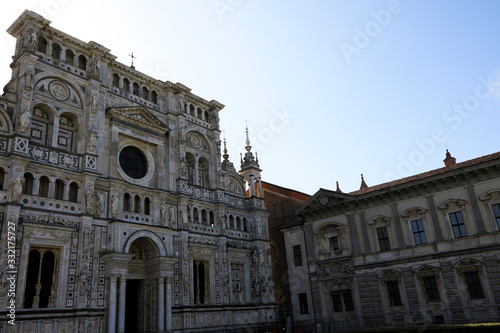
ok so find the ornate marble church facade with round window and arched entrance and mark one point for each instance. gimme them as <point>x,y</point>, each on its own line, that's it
<point>119,211</point>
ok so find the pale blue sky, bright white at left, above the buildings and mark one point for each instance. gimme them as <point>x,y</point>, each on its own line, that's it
<point>330,89</point>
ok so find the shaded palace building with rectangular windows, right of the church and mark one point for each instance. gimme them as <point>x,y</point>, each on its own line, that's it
<point>420,250</point>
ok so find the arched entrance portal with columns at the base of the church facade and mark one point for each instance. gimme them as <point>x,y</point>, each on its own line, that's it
<point>140,285</point>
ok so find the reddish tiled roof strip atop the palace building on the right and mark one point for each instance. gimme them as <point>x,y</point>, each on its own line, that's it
<point>435,172</point>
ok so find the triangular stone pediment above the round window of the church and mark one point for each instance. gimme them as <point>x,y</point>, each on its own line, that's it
<point>138,117</point>
